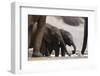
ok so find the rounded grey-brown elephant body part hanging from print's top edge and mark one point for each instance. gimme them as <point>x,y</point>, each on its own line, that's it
<point>74,21</point>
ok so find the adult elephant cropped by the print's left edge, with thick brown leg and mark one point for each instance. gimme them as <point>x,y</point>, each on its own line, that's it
<point>35,35</point>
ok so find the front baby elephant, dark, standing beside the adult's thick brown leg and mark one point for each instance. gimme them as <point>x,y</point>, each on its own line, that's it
<point>53,40</point>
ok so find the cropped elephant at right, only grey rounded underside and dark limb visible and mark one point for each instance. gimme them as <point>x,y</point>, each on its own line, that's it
<point>76,21</point>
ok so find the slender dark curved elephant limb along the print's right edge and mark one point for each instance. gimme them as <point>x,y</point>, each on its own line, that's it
<point>85,36</point>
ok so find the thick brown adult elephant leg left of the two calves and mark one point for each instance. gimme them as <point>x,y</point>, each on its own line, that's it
<point>39,36</point>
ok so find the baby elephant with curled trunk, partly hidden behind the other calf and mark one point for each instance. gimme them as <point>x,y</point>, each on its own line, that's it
<point>68,39</point>
